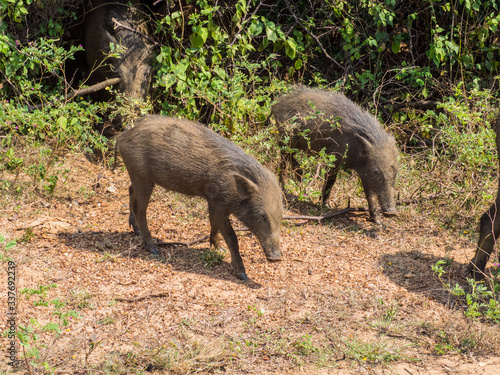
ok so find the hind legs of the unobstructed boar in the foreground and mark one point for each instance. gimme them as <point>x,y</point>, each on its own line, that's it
<point>140,192</point>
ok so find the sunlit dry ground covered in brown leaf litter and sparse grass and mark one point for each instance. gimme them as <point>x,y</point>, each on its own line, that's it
<point>348,298</point>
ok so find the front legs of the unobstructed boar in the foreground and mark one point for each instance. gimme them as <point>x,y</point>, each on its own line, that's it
<point>219,222</point>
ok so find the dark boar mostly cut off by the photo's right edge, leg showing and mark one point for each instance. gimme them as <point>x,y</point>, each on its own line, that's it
<point>489,229</point>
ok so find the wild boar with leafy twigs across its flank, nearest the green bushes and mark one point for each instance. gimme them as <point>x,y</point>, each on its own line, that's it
<point>319,119</point>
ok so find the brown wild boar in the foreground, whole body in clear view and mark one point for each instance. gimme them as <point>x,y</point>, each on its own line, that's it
<point>189,158</point>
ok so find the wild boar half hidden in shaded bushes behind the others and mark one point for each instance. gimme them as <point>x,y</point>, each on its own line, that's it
<point>121,23</point>
